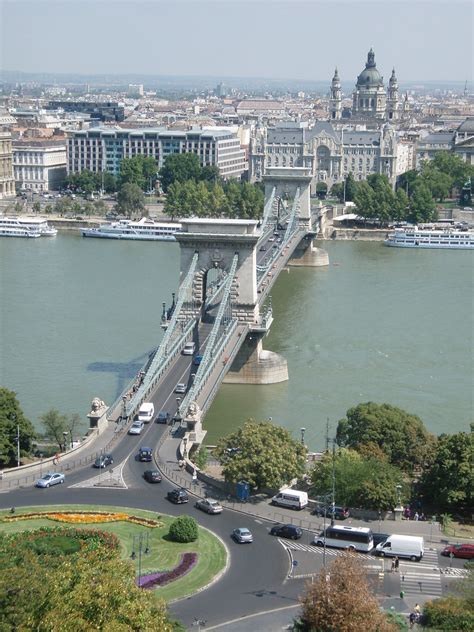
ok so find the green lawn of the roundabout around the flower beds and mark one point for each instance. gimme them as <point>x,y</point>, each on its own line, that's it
<point>162,555</point>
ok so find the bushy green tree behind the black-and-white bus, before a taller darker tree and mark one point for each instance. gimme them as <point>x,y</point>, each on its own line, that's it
<point>360,481</point>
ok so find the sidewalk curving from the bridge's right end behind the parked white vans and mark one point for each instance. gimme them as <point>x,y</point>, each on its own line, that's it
<point>259,505</point>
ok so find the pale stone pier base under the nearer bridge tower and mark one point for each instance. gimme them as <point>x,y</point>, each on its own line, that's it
<point>255,365</point>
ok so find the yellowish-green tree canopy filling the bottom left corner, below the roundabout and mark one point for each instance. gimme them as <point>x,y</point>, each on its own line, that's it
<point>91,589</point>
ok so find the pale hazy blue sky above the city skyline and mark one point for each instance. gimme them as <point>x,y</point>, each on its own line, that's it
<point>424,40</point>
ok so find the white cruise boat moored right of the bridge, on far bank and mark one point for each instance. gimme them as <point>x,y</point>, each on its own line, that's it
<point>415,237</point>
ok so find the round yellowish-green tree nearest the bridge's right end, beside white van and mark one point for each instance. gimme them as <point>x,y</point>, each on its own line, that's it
<point>267,455</point>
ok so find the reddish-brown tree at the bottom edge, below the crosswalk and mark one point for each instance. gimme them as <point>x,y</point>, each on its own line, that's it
<point>340,600</point>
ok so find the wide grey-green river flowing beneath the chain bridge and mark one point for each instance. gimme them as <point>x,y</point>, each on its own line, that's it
<point>79,316</point>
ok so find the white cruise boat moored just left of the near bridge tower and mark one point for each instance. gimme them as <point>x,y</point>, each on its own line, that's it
<point>145,229</point>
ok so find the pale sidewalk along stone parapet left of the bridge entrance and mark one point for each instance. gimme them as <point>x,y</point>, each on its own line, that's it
<point>83,454</point>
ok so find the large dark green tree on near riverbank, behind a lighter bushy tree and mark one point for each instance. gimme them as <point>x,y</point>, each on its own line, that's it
<point>401,436</point>
